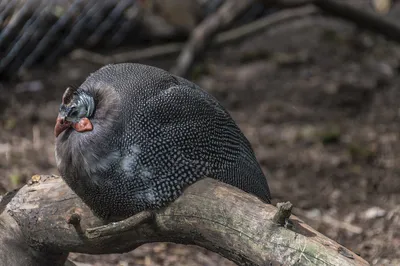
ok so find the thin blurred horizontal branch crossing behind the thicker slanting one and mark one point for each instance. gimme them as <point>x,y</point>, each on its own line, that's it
<point>174,48</point>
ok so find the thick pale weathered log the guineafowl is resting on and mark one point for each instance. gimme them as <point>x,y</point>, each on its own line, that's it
<point>44,221</point>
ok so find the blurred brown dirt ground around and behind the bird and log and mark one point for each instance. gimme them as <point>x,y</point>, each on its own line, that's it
<point>318,100</point>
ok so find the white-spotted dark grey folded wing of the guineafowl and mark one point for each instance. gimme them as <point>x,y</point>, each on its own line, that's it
<point>190,135</point>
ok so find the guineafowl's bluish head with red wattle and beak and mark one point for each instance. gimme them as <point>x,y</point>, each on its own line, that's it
<point>75,111</point>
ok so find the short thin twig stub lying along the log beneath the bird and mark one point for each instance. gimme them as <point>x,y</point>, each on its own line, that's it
<point>122,226</point>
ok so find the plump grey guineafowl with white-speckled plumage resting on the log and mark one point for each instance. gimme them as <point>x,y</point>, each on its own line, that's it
<point>132,137</point>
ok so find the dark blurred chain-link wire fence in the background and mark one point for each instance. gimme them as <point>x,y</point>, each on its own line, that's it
<point>41,31</point>
